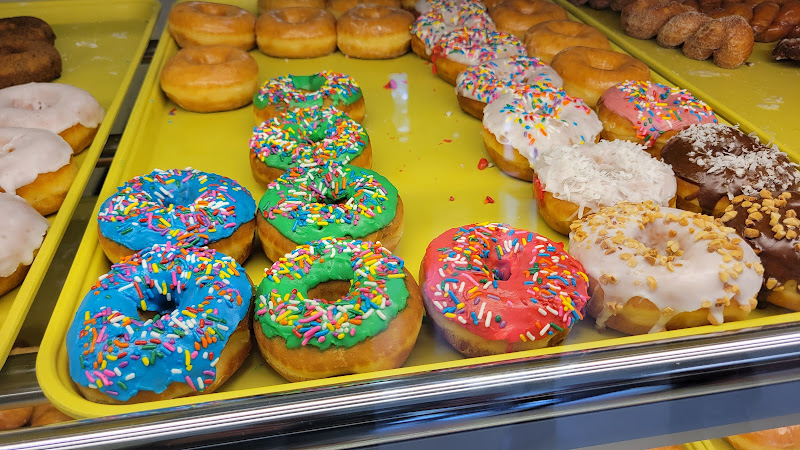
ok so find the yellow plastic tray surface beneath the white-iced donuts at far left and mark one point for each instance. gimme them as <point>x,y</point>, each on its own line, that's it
<point>101,44</point>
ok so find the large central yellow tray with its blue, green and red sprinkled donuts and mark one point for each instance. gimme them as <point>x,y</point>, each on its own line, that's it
<point>282,215</point>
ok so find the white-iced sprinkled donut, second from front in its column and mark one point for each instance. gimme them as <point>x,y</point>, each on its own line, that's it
<point>482,83</point>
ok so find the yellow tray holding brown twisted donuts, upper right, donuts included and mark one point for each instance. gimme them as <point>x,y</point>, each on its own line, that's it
<point>747,80</point>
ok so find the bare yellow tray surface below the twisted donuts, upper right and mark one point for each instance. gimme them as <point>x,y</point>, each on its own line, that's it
<point>762,97</point>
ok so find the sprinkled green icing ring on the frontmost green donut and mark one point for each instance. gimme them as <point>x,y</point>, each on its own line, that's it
<point>377,294</point>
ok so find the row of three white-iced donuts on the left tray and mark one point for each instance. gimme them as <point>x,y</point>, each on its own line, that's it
<point>42,125</point>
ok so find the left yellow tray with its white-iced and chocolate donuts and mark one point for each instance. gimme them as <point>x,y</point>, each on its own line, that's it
<point>62,83</point>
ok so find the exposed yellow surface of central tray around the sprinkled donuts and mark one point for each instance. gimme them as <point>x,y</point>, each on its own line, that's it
<point>422,142</point>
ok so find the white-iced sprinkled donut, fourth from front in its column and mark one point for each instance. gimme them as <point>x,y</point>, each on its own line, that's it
<point>432,26</point>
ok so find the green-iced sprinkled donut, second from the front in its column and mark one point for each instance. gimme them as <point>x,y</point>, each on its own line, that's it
<point>329,200</point>
